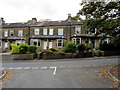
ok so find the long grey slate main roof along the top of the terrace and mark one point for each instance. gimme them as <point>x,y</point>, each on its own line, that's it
<point>41,24</point>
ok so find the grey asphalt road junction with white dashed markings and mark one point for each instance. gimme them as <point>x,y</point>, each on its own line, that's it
<point>67,73</point>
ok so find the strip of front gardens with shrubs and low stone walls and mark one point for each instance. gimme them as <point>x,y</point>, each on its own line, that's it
<point>70,50</point>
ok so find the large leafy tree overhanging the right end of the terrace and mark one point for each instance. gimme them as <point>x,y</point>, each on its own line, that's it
<point>102,17</point>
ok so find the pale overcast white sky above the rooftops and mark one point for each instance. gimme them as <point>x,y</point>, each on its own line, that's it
<point>24,10</point>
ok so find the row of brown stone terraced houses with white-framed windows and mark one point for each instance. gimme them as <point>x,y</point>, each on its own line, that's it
<point>45,34</point>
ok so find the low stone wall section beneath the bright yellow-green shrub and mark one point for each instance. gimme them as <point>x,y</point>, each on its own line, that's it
<point>23,56</point>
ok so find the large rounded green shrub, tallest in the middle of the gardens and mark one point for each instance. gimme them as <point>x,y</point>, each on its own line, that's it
<point>70,47</point>
